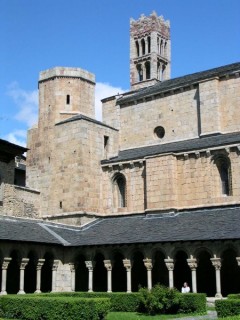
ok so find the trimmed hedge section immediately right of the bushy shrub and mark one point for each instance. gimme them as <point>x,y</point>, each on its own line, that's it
<point>192,303</point>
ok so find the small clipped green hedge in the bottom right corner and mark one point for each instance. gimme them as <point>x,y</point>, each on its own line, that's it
<point>228,307</point>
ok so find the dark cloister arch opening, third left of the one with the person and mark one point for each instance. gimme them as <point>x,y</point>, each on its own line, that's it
<point>119,275</point>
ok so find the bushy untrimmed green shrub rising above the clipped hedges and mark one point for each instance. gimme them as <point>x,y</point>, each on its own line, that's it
<point>159,300</point>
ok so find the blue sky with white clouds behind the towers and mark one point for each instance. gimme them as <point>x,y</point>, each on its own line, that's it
<point>94,35</point>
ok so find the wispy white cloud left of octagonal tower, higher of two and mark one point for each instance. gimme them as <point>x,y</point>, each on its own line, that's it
<point>27,103</point>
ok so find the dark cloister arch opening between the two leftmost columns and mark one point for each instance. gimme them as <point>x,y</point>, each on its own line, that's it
<point>13,273</point>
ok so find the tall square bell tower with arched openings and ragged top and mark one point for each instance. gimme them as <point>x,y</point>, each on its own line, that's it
<point>150,50</point>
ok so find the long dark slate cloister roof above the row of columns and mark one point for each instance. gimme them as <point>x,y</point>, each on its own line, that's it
<point>196,225</point>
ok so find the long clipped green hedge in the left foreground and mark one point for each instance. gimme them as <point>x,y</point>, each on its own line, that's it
<point>53,308</point>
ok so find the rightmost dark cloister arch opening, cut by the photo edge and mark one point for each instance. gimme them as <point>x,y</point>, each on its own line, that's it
<point>230,272</point>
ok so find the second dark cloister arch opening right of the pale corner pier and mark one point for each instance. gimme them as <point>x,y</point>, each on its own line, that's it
<point>99,273</point>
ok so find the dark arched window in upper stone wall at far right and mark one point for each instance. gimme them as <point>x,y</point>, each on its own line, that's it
<point>224,168</point>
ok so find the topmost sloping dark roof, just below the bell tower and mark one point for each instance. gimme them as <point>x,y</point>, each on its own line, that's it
<point>179,82</point>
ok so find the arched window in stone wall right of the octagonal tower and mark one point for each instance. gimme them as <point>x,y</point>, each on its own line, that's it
<point>119,184</point>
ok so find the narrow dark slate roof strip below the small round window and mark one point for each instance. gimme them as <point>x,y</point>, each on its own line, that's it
<point>201,143</point>
